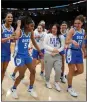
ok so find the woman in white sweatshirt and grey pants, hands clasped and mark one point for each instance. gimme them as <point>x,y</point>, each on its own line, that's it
<point>53,44</point>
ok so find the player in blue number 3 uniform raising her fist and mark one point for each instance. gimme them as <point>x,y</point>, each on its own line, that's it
<point>22,56</point>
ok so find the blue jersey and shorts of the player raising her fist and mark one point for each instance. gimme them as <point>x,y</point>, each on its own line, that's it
<point>21,55</point>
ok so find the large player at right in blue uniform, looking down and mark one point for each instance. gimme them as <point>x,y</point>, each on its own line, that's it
<point>74,56</point>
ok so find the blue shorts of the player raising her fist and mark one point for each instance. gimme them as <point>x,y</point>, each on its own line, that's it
<point>20,60</point>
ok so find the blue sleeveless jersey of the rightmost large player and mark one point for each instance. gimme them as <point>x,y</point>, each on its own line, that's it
<point>79,38</point>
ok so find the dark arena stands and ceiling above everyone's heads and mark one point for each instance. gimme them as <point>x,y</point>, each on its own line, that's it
<point>51,11</point>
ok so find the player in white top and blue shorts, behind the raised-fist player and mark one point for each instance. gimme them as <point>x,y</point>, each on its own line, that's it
<point>39,38</point>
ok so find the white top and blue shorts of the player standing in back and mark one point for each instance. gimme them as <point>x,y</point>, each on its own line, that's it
<point>39,41</point>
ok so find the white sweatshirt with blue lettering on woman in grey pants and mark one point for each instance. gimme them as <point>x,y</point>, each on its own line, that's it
<point>51,42</point>
